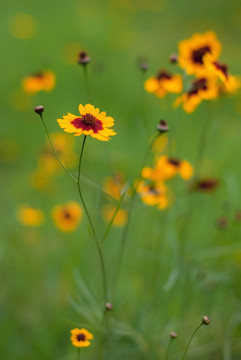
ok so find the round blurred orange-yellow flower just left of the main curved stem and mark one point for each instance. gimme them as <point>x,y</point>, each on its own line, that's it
<point>68,216</point>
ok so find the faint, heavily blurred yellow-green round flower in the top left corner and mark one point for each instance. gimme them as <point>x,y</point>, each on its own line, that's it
<point>22,26</point>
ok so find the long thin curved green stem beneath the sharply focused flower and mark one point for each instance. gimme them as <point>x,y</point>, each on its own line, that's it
<point>102,263</point>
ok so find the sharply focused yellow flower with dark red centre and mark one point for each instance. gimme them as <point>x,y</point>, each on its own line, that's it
<point>90,122</point>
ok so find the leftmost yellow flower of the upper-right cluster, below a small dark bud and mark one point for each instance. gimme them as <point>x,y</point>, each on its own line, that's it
<point>163,83</point>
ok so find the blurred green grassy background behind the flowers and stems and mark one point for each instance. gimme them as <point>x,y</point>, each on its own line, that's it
<point>38,265</point>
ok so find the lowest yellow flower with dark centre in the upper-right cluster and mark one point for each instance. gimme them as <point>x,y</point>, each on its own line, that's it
<point>202,89</point>
